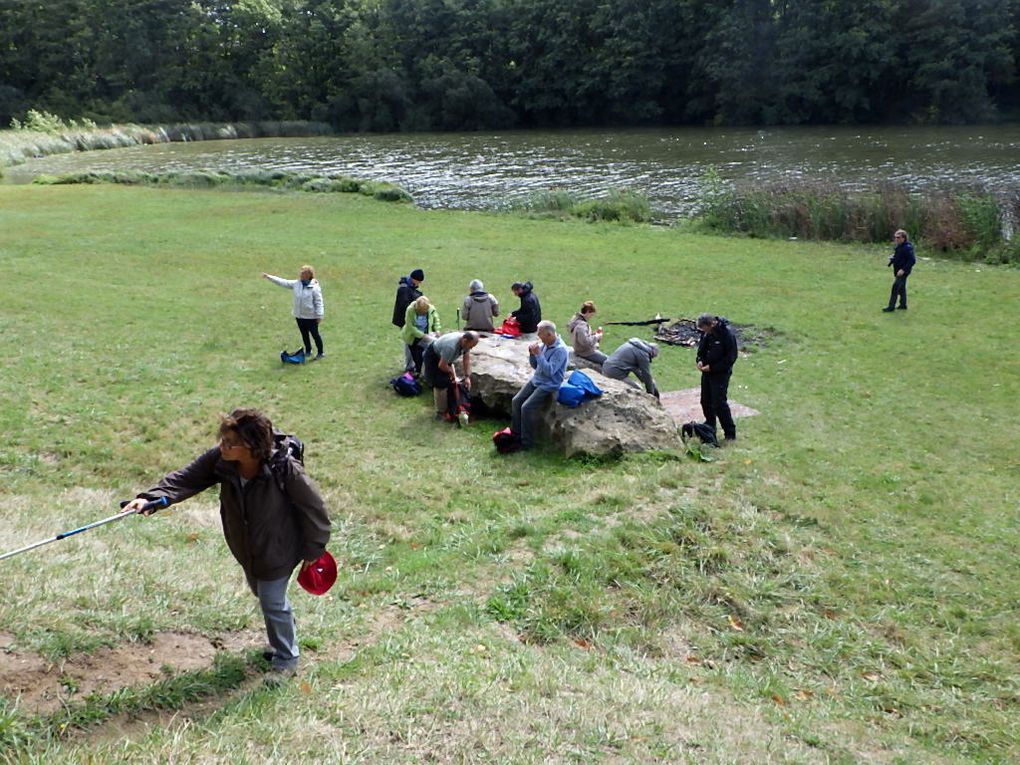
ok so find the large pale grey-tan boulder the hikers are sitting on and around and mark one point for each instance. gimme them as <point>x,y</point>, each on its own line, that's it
<point>623,420</point>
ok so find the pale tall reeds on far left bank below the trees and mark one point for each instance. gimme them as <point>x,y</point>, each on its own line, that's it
<point>17,146</point>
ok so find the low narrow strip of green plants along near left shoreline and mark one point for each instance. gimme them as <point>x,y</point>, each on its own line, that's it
<point>380,190</point>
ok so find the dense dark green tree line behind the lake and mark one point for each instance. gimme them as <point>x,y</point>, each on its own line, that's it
<point>467,65</point>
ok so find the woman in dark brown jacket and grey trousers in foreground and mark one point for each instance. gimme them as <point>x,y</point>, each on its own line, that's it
<point>274,517</point>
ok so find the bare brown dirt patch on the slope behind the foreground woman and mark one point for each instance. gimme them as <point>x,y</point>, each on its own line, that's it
<point>41,687</point>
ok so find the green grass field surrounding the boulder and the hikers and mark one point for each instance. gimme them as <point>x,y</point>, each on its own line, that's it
<point>841,586</point>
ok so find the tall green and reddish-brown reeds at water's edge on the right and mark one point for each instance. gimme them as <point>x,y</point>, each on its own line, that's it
<point>966,225</point>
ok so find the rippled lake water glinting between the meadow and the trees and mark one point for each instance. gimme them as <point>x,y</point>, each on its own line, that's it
<point>490,170</point>
